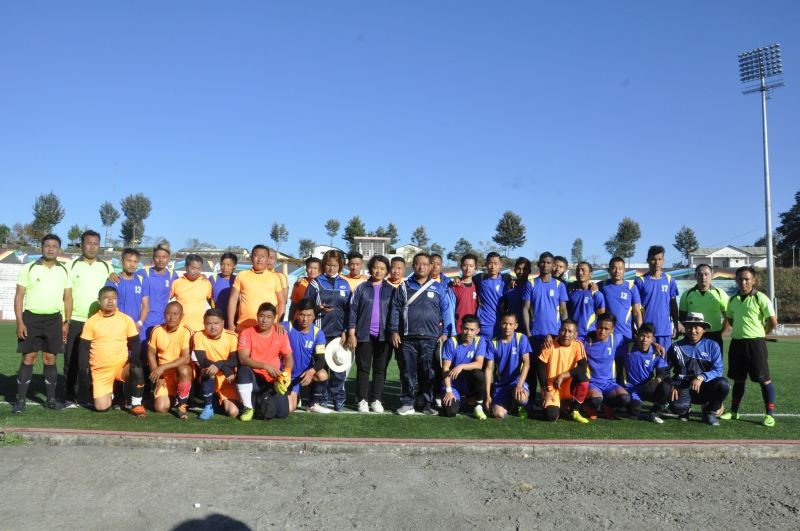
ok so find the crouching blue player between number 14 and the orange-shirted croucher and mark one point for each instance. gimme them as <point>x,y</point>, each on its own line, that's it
<point>508,361</point>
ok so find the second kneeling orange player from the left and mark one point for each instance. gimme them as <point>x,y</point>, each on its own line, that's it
<point>168,357</point>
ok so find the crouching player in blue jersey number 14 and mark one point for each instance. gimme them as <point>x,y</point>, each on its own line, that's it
<point>462,367</point>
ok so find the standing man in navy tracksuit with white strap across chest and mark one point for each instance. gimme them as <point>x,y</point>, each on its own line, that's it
<point>417,322</point>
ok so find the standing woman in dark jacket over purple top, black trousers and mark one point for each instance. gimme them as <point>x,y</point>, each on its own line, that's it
<point>369,312</point>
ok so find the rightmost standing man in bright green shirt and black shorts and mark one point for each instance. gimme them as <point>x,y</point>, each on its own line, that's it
<point>752,317</point>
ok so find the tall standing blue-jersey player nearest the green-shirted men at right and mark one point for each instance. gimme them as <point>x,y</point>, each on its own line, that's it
<point>659,295</point>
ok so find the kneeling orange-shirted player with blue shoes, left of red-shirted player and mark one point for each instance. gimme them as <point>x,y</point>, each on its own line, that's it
<point>214,351</point>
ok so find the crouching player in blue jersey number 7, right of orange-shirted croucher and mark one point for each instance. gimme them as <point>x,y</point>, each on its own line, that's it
<point>603,388</point>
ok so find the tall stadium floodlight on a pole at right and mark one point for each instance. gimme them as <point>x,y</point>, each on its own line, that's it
<point>758,65</point>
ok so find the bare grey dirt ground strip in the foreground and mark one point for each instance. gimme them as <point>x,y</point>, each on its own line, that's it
<point>120,488</point>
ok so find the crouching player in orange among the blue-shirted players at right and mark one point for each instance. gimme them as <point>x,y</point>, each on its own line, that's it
<point>562,373</point>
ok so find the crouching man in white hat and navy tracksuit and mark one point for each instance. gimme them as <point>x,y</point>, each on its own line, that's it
<point>696,365</point>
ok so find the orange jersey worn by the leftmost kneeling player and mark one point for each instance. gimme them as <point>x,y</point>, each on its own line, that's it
<point>108,337</point>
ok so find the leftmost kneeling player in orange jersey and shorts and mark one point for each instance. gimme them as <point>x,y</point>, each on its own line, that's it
<point>110,341</point>
